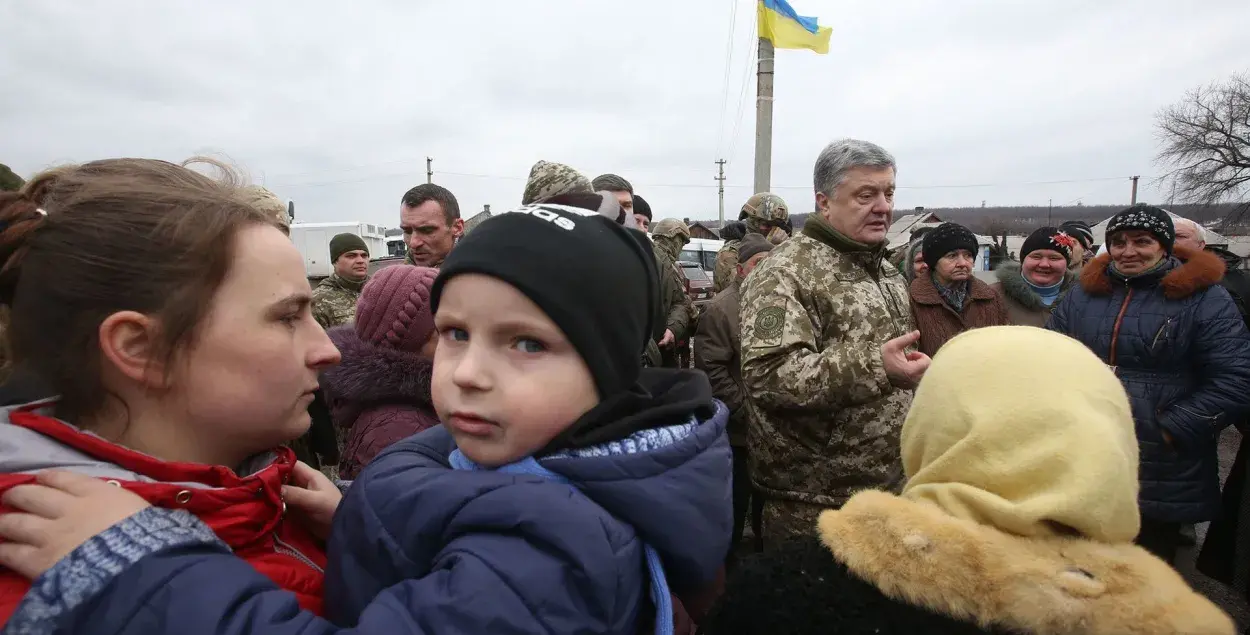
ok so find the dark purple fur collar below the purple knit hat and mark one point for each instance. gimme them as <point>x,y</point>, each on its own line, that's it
<point>371,374</point>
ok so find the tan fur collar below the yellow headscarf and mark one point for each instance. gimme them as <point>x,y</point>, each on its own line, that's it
<point>917,554</point>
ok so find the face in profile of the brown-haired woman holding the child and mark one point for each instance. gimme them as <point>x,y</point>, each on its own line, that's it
<point>249,377</point>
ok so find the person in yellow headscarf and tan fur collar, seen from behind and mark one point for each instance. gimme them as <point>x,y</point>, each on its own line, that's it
<point>1018,517</point>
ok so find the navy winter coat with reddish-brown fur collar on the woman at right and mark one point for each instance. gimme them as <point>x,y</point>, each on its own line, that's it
<point>1179,347</point>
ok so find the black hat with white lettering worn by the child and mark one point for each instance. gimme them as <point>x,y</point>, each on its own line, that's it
<point>606,306</point>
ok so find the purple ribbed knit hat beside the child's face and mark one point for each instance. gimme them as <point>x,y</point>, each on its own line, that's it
<point>394,309</point>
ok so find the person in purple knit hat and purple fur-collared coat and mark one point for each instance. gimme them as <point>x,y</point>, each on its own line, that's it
<point>381,393</point>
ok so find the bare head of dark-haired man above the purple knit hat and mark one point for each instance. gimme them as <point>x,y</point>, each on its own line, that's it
<point>431,218</point>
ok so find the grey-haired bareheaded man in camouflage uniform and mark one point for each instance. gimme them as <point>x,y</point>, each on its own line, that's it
<point>826,326</point>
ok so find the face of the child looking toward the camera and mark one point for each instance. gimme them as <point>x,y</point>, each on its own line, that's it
<point>507,381</point>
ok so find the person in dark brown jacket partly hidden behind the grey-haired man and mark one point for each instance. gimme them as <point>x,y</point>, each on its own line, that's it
<point>718,347</point>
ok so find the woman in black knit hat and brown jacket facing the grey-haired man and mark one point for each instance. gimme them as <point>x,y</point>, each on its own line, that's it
<point>949,301</point>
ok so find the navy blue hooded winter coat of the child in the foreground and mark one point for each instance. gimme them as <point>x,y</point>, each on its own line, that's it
<point>421,548</point>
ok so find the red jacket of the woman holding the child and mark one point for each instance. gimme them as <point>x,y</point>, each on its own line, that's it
<point>244,512</point>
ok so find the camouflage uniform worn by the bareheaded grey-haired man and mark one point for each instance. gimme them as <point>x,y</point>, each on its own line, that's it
<point>824,418</point>
